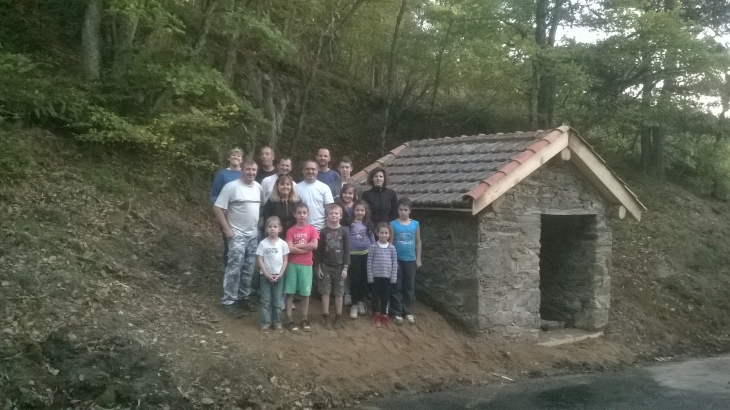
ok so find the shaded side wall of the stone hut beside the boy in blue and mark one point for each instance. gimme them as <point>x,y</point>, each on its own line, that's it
<point>448,279</point>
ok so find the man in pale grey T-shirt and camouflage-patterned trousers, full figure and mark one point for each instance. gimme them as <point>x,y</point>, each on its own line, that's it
<point>237,211</point>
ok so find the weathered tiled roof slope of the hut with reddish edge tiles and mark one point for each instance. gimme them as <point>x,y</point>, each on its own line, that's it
<point>447,172</point>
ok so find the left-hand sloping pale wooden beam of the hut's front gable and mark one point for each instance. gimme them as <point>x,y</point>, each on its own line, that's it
<point>521,172</point>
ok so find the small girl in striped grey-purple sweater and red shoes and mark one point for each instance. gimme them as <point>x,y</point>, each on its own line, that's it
<point>382,273</point>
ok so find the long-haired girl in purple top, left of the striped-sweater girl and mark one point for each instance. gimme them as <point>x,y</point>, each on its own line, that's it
<point>361,237</point>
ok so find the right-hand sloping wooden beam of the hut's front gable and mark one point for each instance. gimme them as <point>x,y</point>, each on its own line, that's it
<point>602,178</point>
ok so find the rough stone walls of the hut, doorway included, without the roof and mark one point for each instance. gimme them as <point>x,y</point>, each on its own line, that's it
<point>544,247</point>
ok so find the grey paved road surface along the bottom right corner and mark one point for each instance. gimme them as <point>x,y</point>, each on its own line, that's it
<point>702,384</point>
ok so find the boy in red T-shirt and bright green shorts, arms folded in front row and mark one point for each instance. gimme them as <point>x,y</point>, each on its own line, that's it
<point>302,239</point>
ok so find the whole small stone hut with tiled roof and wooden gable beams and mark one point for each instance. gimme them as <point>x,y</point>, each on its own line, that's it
<point>515,227</point>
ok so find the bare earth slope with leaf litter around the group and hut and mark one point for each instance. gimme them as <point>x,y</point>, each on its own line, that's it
<point>110,282</point>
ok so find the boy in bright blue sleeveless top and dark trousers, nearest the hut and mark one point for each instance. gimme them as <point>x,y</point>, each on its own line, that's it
<point>407,241</point>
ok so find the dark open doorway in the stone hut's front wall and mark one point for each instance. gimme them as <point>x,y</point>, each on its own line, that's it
<point>567,256</point>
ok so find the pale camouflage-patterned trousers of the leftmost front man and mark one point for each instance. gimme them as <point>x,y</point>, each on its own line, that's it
<point>241,260</point>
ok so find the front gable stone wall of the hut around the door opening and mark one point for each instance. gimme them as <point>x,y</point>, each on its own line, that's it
<point>508,254</point>
